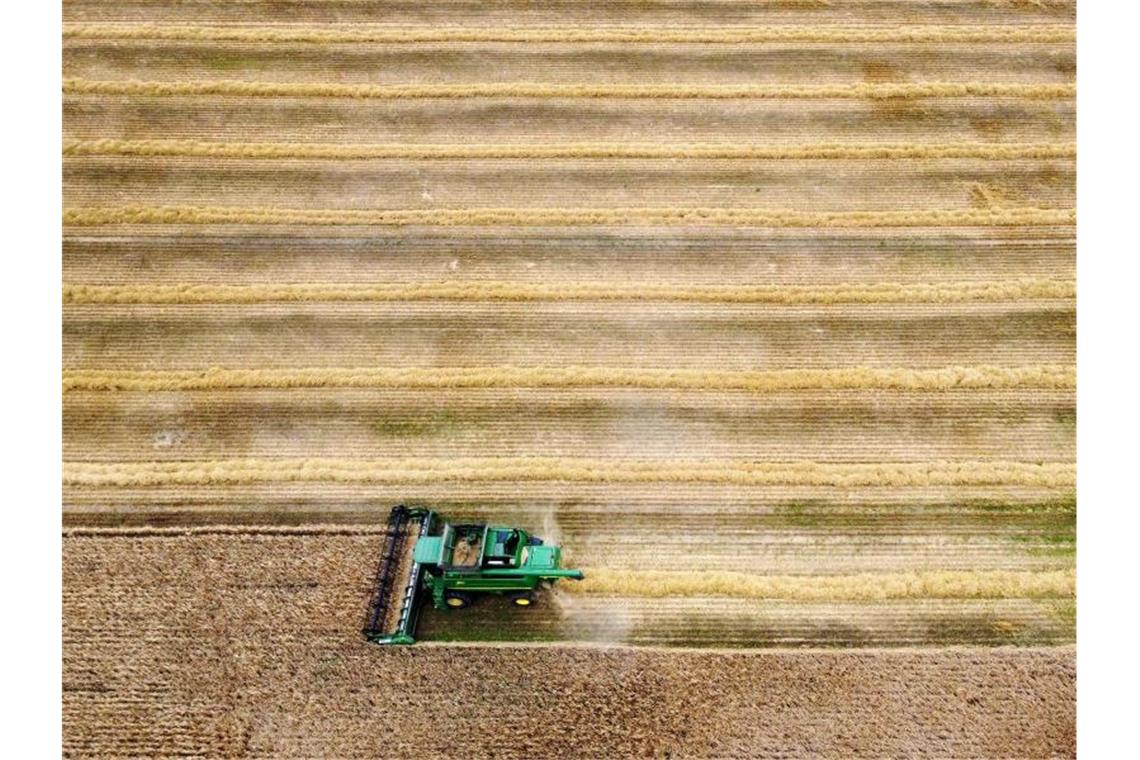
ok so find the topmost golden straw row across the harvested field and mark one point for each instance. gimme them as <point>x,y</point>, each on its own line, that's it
<point>714,35</point>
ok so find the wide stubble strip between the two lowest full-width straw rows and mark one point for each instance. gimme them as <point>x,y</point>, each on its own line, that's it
<point>820,427</point>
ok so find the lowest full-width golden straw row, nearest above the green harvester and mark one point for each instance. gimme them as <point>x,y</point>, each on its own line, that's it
<point>462,470</point>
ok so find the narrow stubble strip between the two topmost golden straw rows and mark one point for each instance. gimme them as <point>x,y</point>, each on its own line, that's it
<point>557,63</point>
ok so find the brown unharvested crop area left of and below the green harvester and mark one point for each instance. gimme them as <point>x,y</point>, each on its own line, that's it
<point>237,647</point>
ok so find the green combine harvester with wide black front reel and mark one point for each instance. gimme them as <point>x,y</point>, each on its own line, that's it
<point>425,555</point>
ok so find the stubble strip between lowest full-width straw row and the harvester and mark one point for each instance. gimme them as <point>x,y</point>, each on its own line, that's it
<point>534,503</point>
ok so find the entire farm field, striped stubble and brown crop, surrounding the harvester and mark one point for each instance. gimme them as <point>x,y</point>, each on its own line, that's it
<point>766,312</point>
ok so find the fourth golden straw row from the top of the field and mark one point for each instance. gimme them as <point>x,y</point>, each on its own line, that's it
<point>991,217</point>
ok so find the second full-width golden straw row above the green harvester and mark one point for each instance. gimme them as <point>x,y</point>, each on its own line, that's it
<point>1035,377</point>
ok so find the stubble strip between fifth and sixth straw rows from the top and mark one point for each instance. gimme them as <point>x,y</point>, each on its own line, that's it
<point>665,337</point>
